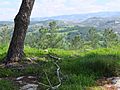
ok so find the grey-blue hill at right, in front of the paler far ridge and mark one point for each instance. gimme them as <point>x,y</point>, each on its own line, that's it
<point>102,23</point>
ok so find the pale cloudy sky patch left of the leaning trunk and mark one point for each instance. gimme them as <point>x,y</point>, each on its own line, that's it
<point>8,9</point>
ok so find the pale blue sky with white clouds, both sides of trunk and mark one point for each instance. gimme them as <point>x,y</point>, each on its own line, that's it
<point>46,8</point>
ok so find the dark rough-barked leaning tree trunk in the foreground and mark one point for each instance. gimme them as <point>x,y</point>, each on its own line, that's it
<point>22,20</point>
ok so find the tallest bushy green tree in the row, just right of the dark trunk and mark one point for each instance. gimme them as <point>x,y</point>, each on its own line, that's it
<point>47,37</point>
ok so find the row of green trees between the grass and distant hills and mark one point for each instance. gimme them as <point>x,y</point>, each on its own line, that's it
<point>50,37</point>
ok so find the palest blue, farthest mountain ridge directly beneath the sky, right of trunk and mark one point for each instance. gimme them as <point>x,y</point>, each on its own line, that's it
<point>78,17</point>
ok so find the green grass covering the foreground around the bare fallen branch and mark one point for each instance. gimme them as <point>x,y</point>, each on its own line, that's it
<point>80,70</point>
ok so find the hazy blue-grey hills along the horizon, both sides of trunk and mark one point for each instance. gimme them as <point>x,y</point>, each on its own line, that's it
<point>100,20</point>
